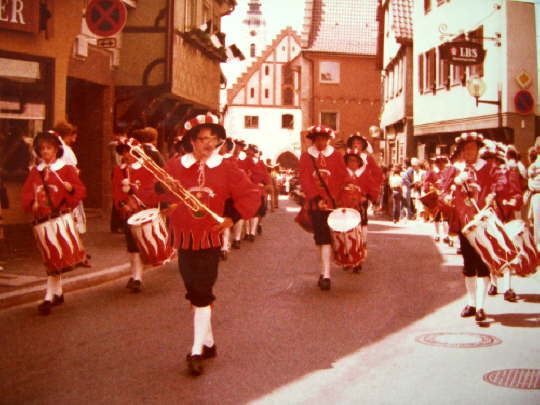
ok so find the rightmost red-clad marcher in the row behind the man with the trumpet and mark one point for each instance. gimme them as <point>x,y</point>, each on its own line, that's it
<point>258,174</point>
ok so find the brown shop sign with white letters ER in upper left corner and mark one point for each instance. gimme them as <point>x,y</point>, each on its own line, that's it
<point>19,15</point>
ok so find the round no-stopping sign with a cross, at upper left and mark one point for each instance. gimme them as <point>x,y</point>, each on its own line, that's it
<point>105,17</point>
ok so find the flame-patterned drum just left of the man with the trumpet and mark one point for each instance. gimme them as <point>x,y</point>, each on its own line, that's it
<point>151,236</point>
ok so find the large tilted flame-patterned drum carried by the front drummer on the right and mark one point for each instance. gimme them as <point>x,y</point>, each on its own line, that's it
<point>487,235</point>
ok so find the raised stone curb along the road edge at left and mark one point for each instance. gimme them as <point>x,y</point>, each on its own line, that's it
<point>31,294</point>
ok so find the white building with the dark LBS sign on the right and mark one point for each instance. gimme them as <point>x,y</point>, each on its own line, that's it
<point>443,106</point>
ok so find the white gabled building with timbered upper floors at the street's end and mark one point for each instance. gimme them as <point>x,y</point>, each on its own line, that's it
<point>263,106</point>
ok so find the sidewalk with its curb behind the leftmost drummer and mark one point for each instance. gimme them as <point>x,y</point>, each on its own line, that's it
<point>23,278</point>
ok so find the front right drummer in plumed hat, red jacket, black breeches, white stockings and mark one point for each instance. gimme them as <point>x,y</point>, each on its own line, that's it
<point>477,182</point>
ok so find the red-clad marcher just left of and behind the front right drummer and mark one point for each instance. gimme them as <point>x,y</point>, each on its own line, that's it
<point>433,184</point>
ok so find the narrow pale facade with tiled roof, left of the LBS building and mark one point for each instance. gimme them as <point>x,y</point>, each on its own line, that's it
<point>394,58</point>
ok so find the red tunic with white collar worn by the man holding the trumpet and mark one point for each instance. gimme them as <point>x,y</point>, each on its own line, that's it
<point>212,183</point>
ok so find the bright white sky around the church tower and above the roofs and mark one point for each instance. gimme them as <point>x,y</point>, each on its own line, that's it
<point>278,14</point>
